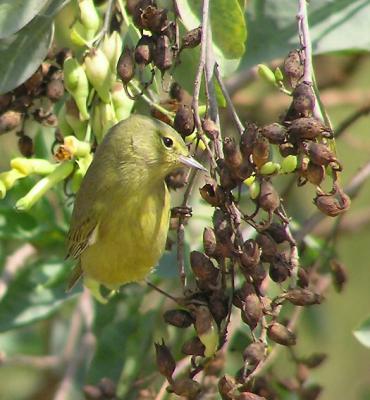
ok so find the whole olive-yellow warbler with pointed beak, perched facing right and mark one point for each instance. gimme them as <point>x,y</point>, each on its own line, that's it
<point>121,213</point>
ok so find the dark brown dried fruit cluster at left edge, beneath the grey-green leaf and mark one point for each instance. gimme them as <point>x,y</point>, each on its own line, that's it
<point>34,99</point>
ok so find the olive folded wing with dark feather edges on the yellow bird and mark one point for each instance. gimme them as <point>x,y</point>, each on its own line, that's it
<point>81,235</point>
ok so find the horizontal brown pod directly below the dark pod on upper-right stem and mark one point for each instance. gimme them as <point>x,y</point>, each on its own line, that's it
<point>307,128</point>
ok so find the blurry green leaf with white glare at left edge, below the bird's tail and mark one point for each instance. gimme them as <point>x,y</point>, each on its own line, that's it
<point>35,293</point>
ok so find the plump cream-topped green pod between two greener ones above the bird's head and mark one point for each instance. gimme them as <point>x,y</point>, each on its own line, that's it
<point>98,73</point>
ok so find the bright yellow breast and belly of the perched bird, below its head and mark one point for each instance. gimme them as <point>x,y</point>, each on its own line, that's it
<point>130,238</point>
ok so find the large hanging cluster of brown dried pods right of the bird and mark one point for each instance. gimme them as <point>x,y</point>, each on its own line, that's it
<point>232,274</point>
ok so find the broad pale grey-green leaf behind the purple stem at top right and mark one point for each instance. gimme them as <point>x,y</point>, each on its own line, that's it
<point>335,26</point>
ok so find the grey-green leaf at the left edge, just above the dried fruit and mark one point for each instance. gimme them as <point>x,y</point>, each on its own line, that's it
<point>23,52</point>
